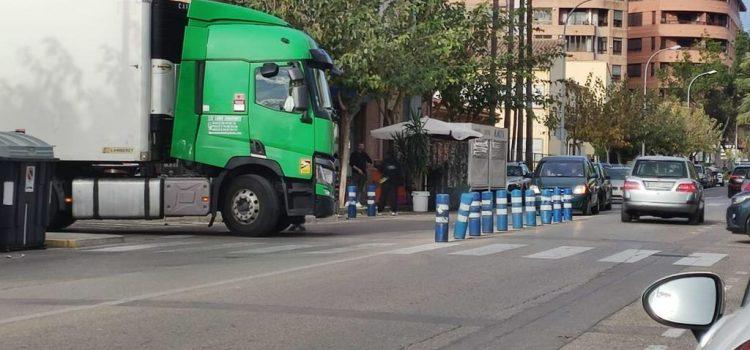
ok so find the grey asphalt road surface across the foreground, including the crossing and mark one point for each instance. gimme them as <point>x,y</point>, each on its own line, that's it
<point>366,284</point>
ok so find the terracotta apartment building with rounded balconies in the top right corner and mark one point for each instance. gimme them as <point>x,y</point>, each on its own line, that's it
<point>658,24</point>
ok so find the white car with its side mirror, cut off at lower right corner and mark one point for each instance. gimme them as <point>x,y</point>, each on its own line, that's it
<point>695,301</point>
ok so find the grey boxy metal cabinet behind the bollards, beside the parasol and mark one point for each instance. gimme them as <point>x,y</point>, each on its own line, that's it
<point>488,158</point>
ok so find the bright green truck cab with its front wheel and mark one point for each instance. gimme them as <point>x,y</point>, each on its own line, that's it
<point>253,100</point>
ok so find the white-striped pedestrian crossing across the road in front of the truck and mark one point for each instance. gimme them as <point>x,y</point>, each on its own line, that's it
<point>532,251</point>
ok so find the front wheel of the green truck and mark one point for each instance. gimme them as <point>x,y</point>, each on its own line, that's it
<point>250,206</point>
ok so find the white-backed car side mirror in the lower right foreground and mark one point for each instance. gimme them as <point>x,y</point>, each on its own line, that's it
<point>693,300</point>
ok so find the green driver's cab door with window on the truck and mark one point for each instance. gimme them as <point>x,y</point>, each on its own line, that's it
<point>287,135</point>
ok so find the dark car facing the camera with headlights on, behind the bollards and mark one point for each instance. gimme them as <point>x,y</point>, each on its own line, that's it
<point>575,172</point>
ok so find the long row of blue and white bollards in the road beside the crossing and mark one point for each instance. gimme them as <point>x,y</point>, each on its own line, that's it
<point>477,215</point>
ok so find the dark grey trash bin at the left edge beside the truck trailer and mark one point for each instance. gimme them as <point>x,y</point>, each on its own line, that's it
<point>25,174</point>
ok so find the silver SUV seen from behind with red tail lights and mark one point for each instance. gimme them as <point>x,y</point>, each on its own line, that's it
<point>666,187</point>
